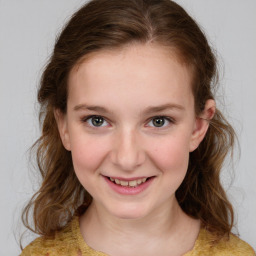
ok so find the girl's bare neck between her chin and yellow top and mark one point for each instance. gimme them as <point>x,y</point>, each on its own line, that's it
<point>113,235</point>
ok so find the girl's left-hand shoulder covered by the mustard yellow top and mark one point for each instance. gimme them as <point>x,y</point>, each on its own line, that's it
<point>62,244</point>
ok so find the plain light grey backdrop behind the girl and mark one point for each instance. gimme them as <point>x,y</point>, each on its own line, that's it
<point>27,33</point>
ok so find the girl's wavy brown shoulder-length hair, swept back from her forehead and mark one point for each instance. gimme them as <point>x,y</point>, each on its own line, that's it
<point>112,24</point>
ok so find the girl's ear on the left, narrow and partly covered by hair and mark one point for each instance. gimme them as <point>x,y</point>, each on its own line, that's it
<point>61,120</point>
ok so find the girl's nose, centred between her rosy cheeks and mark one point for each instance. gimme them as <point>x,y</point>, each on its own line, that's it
<point>127,151</point>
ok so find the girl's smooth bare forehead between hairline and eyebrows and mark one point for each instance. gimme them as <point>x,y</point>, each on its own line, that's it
<point>148,72</point>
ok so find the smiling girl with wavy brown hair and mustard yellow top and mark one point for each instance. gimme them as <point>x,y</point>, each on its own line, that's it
<point>132,142</point>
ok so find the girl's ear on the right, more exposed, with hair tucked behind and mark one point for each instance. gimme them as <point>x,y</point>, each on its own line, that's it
<point>202,124</point>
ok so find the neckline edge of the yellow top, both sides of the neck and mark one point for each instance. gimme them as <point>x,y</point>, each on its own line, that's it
<point>87,250</point>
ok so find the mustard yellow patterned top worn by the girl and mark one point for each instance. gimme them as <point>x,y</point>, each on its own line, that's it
<point>69,242</point>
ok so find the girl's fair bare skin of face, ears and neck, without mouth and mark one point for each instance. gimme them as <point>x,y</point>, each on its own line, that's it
<point>128,83</point>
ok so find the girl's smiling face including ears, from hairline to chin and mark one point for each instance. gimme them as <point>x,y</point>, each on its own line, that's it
<point>130,125</point>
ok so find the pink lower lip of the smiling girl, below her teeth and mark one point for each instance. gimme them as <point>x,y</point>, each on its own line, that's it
<point>129,190</point>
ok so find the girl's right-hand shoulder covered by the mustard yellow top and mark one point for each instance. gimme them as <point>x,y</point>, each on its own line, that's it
<point>233,246</point>
